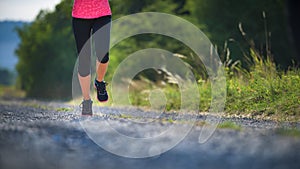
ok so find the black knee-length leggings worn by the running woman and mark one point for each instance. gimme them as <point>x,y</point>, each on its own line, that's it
<point>83,30</point>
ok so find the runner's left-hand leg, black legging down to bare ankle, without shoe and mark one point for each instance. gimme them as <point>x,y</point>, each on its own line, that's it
<point>82,33</point>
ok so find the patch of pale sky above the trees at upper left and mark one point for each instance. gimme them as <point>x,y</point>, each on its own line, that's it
<point>24,10</point>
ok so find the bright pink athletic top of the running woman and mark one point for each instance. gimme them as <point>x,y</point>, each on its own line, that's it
<point>90,9</point>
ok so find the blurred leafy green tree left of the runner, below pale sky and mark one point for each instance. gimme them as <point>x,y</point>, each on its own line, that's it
<point>47,54</point>
